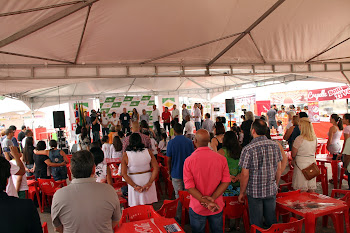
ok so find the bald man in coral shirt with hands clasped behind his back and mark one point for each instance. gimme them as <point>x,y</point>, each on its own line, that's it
<point>206,177</point>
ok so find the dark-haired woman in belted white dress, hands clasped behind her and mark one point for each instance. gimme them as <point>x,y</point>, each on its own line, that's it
<point>136,170</point>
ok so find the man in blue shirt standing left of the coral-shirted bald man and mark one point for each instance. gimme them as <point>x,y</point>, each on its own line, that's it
<point>178,150</point>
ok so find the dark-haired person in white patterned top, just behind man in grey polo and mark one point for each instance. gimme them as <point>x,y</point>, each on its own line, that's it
<point>102,171</point>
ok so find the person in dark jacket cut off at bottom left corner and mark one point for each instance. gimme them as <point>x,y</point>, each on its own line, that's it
<point>16,215</point>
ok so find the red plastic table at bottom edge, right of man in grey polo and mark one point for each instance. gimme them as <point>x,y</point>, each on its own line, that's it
<point>148,225</point>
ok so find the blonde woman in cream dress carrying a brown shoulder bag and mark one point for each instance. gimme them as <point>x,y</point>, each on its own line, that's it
<point>303,153</point>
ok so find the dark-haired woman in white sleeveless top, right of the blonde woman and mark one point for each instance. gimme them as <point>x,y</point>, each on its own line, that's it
<point>334,134</point>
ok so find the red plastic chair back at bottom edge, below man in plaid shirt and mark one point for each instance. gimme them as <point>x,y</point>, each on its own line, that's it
<point>294,226</point>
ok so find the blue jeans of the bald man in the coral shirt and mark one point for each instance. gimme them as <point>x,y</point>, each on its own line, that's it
<point>198,222</point>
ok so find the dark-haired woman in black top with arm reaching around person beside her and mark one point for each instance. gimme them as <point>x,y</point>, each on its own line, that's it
<point>42,161</point>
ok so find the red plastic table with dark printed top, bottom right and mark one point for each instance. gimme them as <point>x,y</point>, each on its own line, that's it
<point>314,205</point>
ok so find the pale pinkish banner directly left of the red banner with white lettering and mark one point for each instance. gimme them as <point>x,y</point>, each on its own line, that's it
<point>289,97</point>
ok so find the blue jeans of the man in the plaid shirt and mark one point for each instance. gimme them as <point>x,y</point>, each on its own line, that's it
<point>260,209</point>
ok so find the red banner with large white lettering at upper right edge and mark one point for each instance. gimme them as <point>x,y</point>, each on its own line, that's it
<point>331,93</point>
